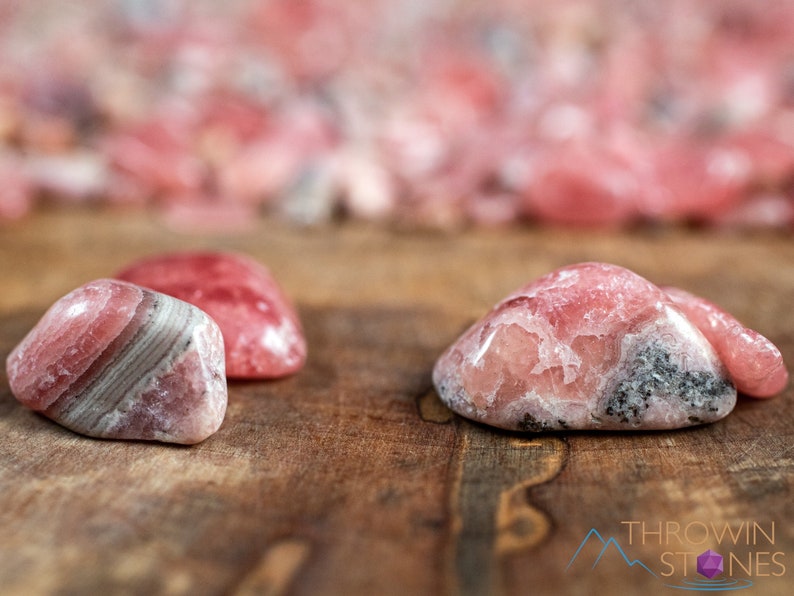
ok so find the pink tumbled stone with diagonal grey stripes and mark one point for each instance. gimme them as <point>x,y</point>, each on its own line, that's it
<point>114,360</point>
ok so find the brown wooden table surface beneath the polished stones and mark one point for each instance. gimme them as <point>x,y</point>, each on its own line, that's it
<point>351,477</point>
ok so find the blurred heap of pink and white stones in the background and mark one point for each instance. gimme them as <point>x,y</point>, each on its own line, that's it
<point>432,113</point>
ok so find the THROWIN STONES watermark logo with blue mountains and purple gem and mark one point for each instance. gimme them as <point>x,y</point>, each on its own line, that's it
<point>688,561</point>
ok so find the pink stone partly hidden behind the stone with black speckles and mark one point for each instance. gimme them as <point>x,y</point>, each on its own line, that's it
<point>754,363</point>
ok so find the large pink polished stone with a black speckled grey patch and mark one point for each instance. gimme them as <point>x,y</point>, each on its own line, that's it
<point>589,346</point>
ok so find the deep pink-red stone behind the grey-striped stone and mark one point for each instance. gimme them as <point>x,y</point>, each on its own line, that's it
<point>261,329</point>
